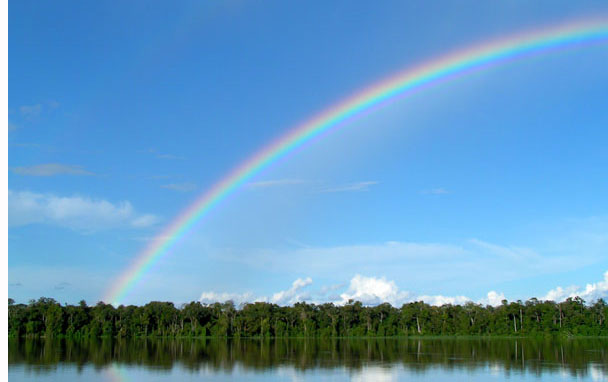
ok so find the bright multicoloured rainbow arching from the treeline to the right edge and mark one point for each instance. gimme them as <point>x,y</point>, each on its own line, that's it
<point>401,84</point>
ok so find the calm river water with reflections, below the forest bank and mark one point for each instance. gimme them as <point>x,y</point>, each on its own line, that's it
<point>310,360</point>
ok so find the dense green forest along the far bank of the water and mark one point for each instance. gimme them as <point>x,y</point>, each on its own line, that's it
<point>46,317</point>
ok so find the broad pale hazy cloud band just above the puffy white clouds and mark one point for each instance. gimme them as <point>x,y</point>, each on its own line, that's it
<point>476,263</point>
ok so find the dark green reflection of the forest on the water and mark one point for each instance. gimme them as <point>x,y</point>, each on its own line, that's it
<point>510,355</point>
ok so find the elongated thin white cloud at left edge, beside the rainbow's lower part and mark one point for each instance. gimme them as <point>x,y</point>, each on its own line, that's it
<point>76,212</point>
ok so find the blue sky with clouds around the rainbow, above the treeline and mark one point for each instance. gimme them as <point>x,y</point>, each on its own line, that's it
<point>489,186</point>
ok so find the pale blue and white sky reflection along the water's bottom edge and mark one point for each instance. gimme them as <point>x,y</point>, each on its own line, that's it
<point>373,372</point>
